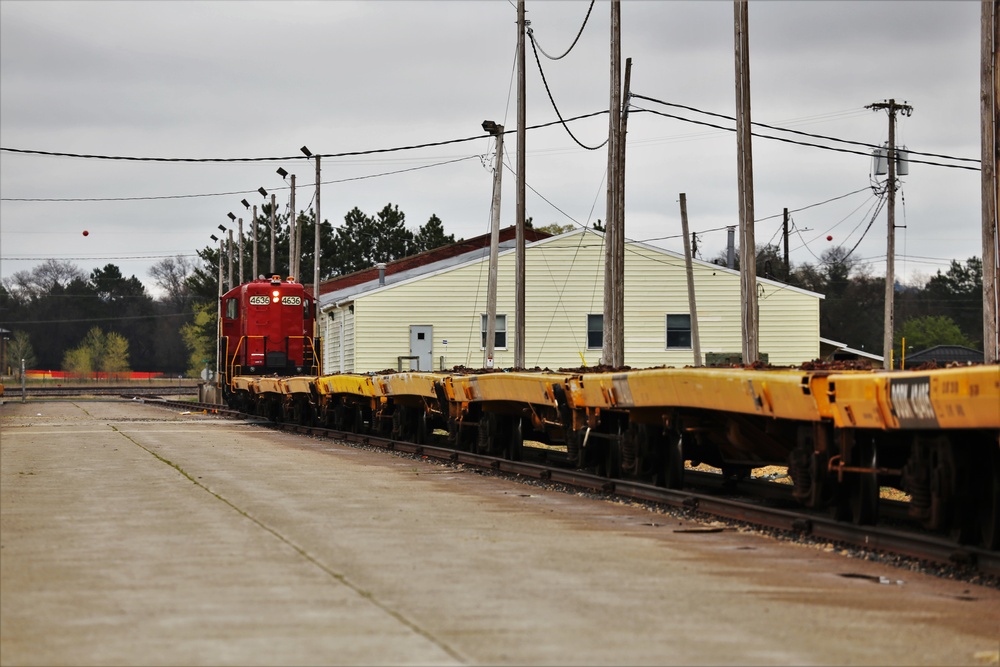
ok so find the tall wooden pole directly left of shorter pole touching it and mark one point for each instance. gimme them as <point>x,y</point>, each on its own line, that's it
<point>611,343</point>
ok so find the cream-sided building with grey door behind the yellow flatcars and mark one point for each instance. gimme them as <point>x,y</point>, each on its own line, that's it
<point>434,318</point>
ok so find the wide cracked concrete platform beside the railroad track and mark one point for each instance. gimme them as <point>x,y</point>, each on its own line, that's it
<point>137,535</point>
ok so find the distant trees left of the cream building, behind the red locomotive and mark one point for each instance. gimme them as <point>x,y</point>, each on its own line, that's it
<point>62,318</point>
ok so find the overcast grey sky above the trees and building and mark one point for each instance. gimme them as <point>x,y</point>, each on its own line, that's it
<point>260,79</point>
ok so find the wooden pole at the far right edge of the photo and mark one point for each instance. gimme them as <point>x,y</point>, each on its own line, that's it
<point>989,110</point>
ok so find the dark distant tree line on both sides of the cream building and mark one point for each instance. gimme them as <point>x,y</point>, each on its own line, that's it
<point>62,318</point>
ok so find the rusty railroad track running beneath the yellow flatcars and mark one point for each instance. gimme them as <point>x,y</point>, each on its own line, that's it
<point>896,541</point>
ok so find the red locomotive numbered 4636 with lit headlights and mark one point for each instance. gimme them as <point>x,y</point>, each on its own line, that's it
<point>267,328</point>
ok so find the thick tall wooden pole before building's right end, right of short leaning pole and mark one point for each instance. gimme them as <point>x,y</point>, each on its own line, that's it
<point>744,158</point>
